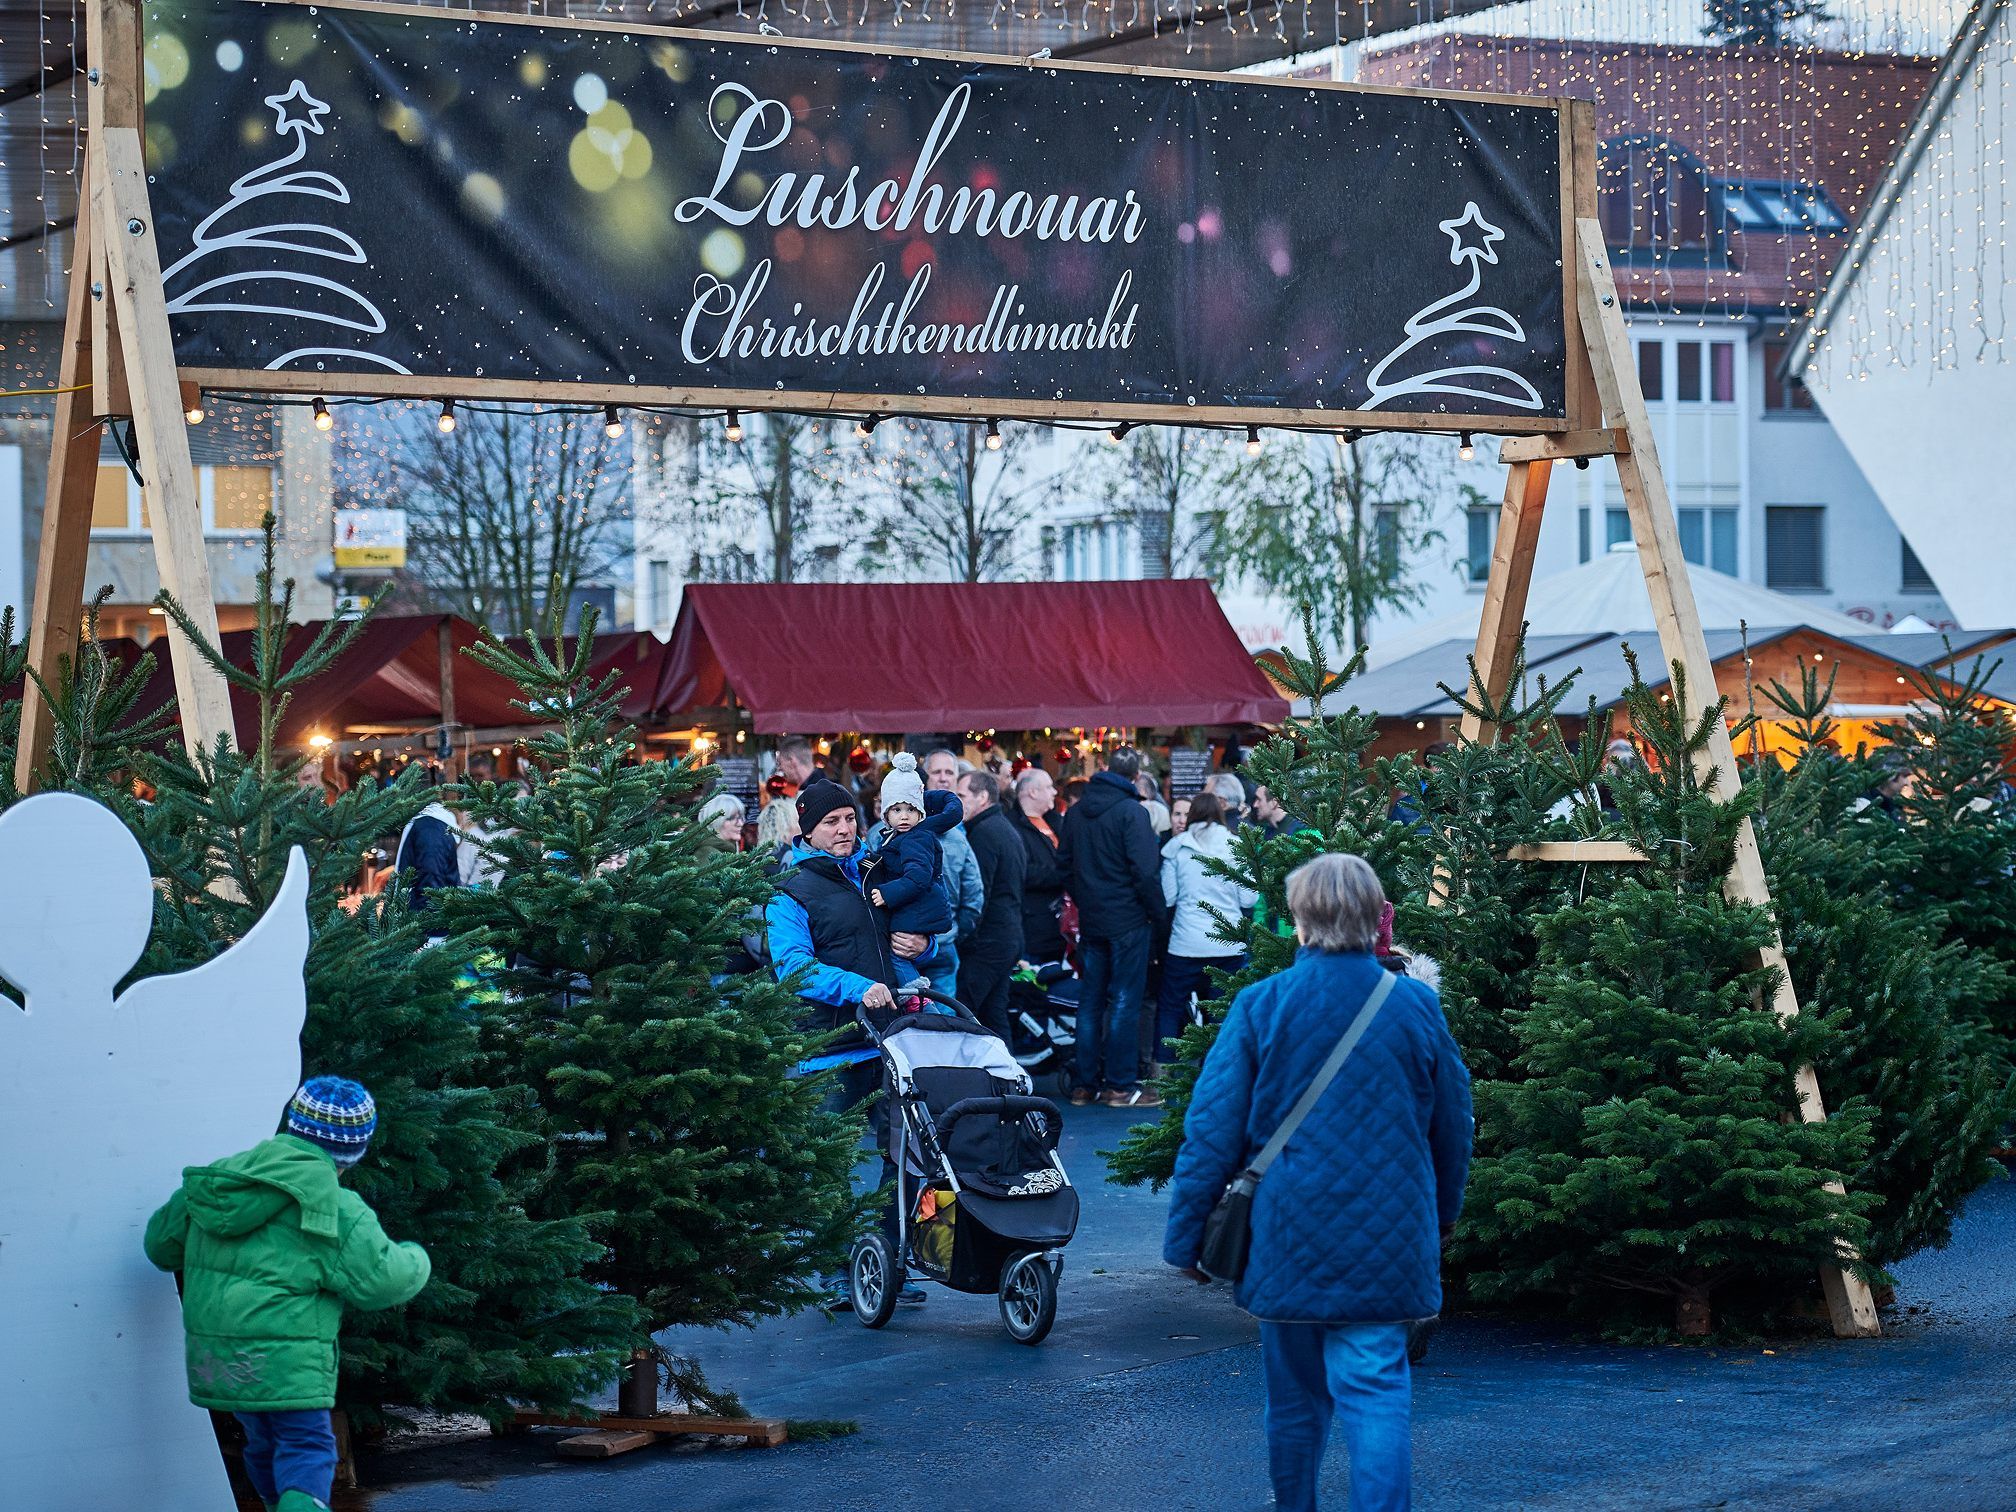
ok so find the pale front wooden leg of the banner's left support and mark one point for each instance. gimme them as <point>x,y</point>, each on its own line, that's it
<point>124,217</point>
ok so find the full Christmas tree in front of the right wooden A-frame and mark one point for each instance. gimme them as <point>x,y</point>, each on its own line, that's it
<point>1644,1154</point>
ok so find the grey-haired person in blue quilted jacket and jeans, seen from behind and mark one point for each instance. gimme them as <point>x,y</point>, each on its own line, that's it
<point>1350,1223</point>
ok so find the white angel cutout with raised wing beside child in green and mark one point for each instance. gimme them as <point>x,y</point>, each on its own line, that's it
<point>102,1106</point>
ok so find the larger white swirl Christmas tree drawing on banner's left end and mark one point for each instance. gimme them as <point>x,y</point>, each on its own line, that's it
<point>285,291</point>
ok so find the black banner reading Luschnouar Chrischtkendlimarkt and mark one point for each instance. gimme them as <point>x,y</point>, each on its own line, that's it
<point>412,197</point>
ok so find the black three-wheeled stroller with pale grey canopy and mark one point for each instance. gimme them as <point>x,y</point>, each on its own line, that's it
<point>983,1203</point>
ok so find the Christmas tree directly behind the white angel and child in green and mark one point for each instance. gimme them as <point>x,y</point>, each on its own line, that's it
<point>457,1162</point>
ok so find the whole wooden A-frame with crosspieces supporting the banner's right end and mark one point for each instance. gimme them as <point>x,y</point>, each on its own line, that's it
<point>1654,527</point>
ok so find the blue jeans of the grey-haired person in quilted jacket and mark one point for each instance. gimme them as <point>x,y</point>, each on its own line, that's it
<point>1358,1374</point>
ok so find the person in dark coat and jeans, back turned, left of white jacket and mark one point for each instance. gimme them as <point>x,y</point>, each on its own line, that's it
<point>1114,866</point>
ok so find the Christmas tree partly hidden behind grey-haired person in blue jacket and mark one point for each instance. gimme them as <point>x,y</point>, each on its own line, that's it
<point>1324,773</point>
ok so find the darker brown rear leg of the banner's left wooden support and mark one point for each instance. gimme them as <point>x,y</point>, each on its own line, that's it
<point>74,475</point>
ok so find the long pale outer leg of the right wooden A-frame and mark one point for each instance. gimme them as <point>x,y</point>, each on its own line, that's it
<point>1656,529</point>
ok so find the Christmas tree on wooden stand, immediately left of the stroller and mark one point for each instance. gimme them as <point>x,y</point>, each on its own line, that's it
<point>711,1170</point>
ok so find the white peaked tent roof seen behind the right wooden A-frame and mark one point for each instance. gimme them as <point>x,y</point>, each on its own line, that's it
<point>1608,598</point>
